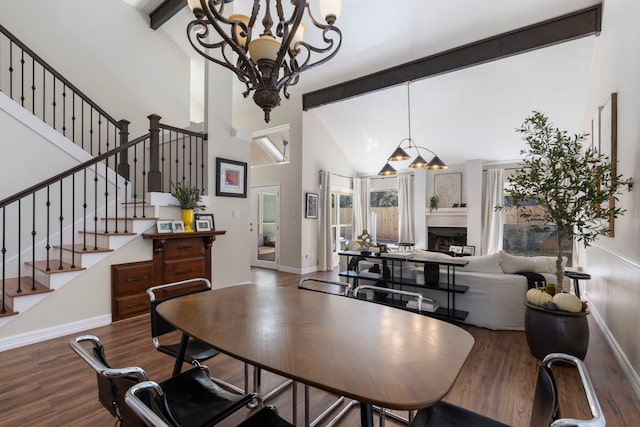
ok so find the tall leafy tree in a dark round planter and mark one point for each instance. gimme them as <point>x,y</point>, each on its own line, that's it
<point>574,186</point>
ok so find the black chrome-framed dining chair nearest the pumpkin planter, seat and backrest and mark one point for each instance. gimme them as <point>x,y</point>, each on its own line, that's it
<point>545,411</point>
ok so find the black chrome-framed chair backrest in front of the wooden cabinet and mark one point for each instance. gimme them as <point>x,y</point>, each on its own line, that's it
<point>161,293</point>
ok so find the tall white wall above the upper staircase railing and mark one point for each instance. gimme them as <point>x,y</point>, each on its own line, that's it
<point>107,50</point>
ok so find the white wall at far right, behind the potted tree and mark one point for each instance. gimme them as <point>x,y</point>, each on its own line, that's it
<point>614,263</point>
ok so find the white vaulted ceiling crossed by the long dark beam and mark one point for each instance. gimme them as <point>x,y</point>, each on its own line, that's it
<point>464,115</point>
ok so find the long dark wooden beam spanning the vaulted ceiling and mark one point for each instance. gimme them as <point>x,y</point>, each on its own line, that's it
<point>568,27</point>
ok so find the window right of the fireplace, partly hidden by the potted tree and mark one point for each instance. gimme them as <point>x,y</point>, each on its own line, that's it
<point>523,238</point>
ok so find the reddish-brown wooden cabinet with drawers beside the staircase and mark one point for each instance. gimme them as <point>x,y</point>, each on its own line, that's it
<point>176,256</point>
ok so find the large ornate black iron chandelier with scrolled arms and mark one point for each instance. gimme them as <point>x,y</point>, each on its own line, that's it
<point>270,61</point>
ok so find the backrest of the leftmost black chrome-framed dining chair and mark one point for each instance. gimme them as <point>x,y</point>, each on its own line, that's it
<point>112,383</point>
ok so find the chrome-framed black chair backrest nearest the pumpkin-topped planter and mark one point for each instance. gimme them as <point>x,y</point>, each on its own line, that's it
<point>546,411</point>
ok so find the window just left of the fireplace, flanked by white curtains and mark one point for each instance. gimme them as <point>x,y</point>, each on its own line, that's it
<point>384,212</point>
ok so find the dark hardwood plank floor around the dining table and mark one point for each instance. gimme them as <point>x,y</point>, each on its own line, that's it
<point>46,384</point>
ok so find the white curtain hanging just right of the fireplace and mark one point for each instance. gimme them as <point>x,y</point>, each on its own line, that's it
<point>493,220</point>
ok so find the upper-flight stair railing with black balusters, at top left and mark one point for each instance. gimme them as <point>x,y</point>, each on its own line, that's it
<point>30,81</point>
